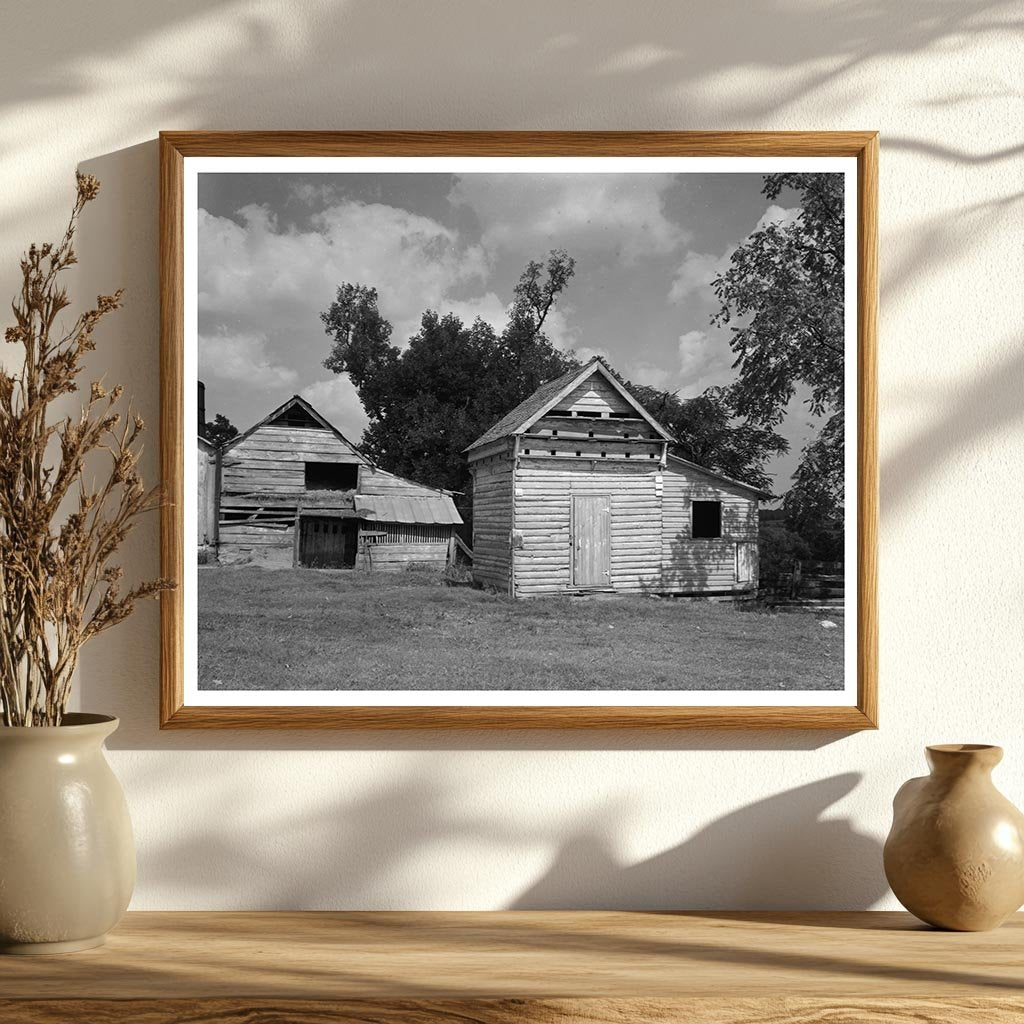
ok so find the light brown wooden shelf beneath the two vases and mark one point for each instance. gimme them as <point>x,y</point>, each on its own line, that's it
<point>522,967</point>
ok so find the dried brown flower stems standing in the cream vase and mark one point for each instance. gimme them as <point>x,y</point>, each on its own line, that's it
<point>59,587</point>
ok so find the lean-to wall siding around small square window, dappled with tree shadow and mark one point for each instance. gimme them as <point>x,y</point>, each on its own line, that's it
<point>705,565</point>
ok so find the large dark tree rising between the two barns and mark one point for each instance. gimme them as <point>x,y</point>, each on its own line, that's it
<point>430,402</point>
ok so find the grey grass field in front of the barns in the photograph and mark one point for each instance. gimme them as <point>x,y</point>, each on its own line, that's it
<point>323,629</point>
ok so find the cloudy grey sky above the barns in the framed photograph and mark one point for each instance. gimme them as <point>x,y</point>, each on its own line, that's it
<point>274,248</point>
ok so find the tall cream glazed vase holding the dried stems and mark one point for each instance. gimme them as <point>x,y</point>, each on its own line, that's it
<point>67,856</point>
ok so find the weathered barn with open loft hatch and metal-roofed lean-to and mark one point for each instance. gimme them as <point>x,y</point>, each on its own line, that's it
<point>294,492</point>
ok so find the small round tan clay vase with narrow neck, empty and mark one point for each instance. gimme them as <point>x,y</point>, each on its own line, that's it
<point>955,858</point>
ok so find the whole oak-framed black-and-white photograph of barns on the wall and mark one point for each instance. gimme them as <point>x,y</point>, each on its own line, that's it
<point>520,430</point>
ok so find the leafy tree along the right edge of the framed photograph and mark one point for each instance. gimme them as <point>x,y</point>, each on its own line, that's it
<point>786,285</point>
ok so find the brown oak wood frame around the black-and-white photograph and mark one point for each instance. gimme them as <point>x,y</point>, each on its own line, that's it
<point>178,148</point>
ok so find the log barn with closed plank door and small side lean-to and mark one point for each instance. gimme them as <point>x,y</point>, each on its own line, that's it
<point>576,491</point>
